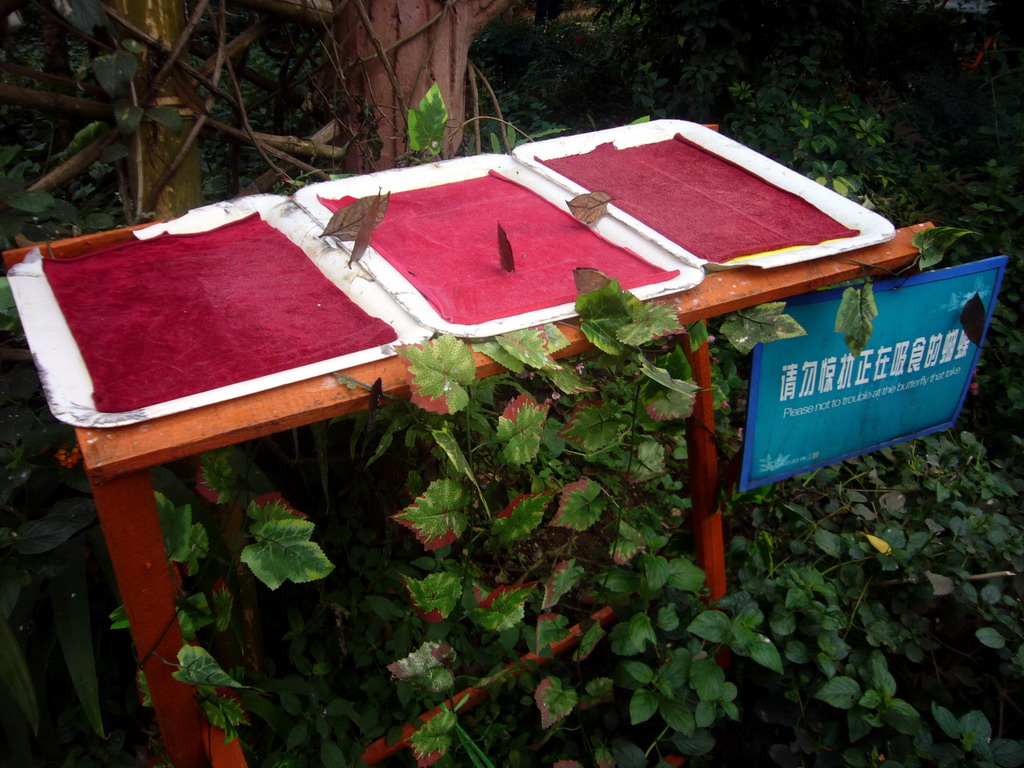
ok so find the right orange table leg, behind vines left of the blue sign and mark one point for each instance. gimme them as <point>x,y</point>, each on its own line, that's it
<point>702,453</point>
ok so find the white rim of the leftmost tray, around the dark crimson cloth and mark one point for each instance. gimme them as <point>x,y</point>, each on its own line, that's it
<point>64,375</point>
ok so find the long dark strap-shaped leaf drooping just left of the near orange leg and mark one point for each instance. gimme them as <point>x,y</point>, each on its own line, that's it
<point>70,598</point>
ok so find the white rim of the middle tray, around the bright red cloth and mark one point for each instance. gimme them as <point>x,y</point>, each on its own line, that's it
<point>614,230</point>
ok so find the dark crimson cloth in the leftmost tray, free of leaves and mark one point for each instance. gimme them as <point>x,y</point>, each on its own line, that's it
<point>179,315</point>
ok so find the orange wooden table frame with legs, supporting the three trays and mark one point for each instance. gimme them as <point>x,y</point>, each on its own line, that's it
<point>118,461</point>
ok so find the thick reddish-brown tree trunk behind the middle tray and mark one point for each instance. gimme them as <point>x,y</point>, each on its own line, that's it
<point>389,55</point>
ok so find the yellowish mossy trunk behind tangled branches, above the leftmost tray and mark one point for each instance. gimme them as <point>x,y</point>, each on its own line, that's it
<point>154,148</point>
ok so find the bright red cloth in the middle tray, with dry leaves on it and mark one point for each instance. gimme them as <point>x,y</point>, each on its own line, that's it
<point>445,241</point>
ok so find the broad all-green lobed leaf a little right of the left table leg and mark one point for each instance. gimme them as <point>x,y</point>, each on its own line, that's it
<point>283,551</point>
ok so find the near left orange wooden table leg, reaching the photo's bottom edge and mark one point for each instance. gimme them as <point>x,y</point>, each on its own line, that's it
<point>129,517</point>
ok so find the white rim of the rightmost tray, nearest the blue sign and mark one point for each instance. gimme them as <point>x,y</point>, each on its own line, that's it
<point>874,229</point>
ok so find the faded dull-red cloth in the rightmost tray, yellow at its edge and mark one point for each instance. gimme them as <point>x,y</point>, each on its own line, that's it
<point>711,207</point>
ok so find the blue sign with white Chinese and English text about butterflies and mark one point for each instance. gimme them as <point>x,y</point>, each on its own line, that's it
<point>814,404</point>
